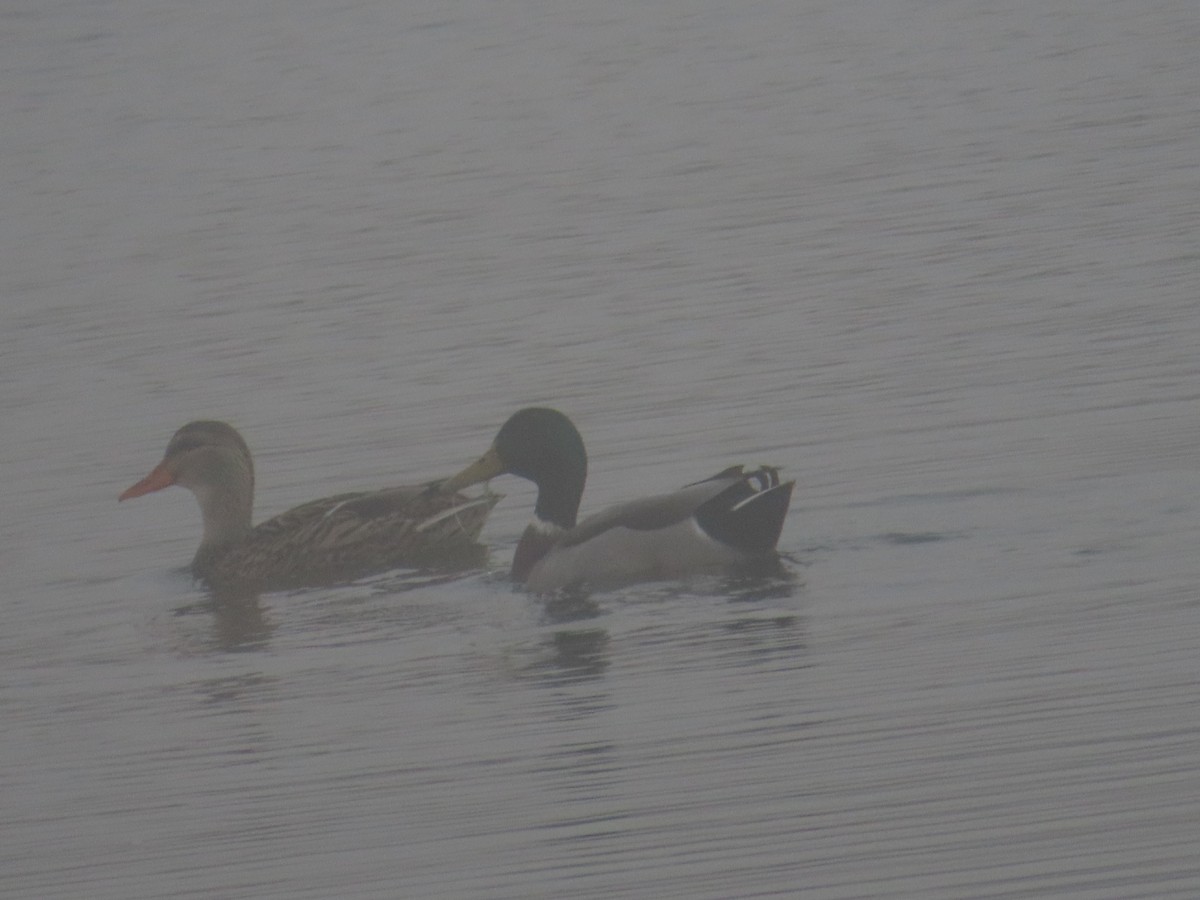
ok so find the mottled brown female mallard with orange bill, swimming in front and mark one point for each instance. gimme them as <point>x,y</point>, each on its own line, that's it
<point>319,543</point>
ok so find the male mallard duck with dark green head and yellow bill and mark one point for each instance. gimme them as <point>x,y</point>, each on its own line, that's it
<point>730,519</point>
